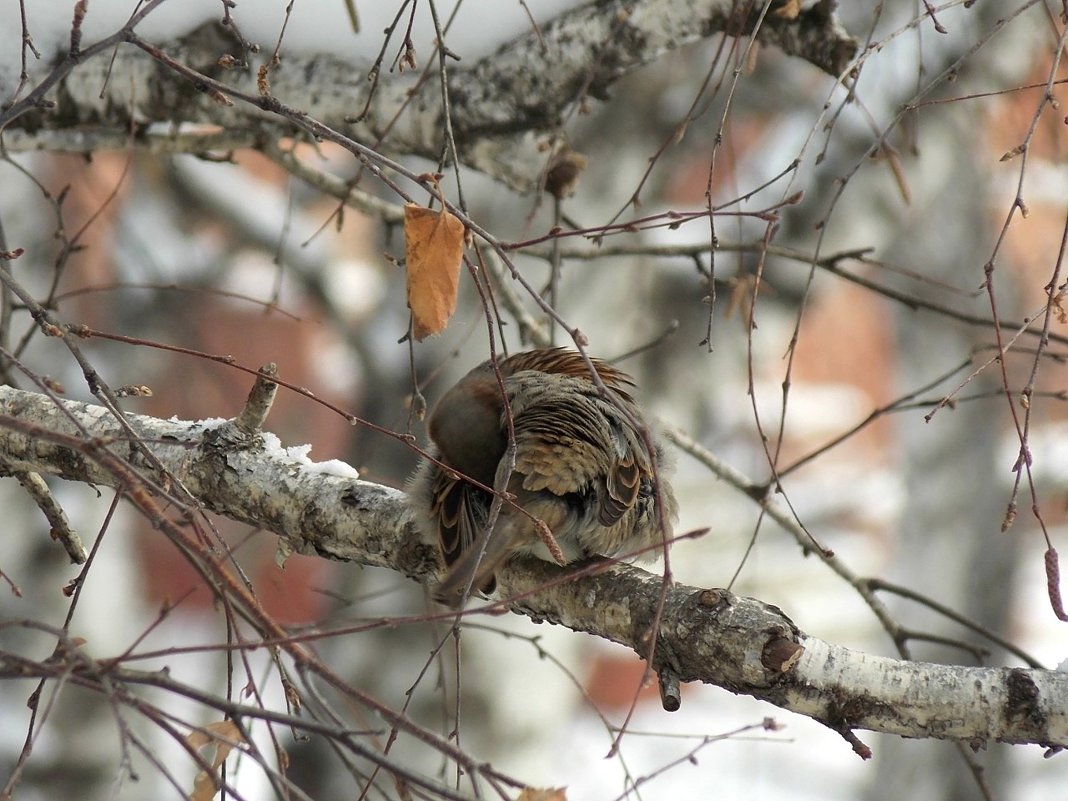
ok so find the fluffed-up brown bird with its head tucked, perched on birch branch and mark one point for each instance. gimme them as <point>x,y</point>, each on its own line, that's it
<point>583,469</point>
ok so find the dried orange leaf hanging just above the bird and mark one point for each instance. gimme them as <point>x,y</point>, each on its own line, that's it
<point>434,250</point>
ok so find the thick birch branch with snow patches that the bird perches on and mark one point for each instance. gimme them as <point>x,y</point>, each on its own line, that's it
<point>710,636</point>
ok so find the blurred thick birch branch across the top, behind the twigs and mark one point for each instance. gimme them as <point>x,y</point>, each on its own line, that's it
<point>504,108</point>
